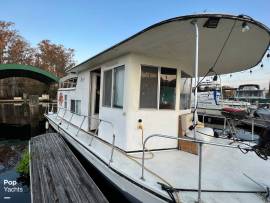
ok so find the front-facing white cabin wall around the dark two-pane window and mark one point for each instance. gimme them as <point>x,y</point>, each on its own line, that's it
<point>154,121</point>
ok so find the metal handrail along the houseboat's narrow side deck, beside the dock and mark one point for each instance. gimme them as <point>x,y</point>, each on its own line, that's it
<point>81,124</point>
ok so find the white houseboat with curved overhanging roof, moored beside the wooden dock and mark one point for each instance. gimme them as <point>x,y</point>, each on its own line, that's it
<point>127,110</point>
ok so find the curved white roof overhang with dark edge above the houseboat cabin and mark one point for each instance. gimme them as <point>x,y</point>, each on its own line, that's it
<point>175,39</point>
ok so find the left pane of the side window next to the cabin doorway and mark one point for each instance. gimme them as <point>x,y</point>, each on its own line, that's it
<point>107,88</point>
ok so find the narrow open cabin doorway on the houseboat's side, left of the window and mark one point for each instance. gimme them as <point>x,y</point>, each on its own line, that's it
<point>94,99</point>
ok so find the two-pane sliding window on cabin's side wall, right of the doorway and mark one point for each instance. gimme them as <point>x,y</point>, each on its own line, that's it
<point>113,97</point>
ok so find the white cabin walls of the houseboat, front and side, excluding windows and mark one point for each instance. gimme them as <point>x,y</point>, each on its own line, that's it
<point>125,121</point>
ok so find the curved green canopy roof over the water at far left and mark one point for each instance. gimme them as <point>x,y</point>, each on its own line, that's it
<point>18,70</point>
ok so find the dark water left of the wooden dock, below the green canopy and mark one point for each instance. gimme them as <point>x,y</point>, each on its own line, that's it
<point>18,122</point>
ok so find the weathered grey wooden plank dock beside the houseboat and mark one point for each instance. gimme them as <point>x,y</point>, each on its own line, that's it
<point>56,175</point>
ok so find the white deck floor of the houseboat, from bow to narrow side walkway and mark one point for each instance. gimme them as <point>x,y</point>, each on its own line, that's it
<point>222,168</point>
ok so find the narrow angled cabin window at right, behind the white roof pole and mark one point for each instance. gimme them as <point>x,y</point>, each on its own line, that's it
<point>185,91</point>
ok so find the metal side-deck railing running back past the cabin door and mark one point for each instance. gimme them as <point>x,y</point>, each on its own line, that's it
<point>79,128</point>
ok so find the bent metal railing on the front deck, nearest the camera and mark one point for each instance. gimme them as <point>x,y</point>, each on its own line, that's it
<point>199,142</point>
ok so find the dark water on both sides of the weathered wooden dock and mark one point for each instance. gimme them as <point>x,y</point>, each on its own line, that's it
<point>18,123</point>
